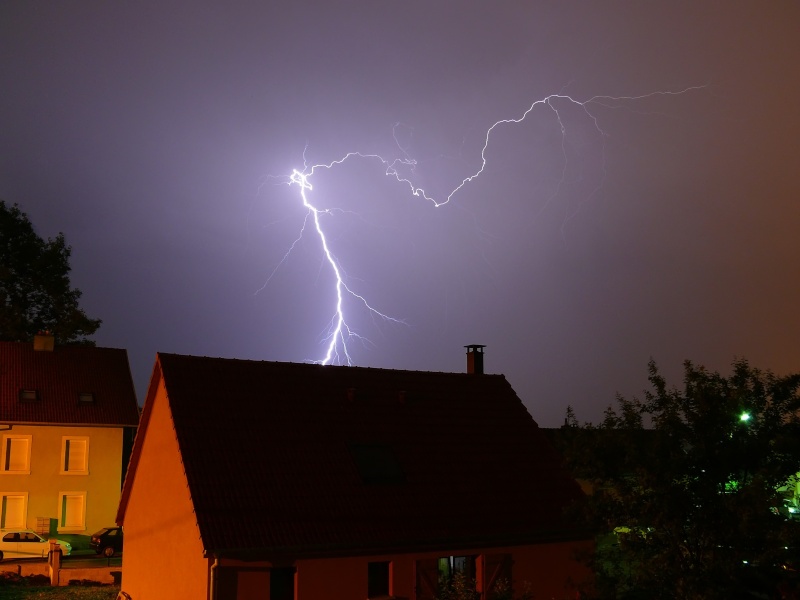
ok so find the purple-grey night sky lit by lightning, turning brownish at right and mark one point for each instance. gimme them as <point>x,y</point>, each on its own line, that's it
<point>159,137</point>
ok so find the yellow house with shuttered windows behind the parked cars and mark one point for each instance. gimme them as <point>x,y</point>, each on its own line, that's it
<point>65,414</point>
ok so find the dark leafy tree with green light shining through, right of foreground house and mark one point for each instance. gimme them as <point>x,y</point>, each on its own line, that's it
<point>687,485</point>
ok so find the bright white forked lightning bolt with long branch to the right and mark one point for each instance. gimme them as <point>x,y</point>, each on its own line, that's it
<point>339,333</point>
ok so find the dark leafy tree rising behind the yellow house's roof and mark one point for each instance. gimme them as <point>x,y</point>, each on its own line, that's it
<point>35,292</point>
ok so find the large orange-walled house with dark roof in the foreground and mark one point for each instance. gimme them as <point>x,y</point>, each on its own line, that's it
<point>287,481</point>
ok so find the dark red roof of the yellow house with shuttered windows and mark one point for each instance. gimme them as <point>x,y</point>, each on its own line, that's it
<point>58,377</point>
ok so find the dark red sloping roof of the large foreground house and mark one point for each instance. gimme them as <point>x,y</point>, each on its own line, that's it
<point>276,456</point>
